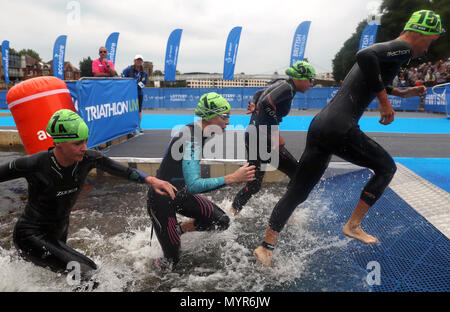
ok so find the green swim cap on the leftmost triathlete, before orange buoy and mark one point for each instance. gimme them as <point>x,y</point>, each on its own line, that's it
<point>66,125</point>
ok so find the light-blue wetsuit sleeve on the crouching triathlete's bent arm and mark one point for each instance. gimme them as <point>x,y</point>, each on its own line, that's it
<point>191,171</point>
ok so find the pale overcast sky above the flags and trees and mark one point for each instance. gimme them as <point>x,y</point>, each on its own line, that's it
<point>268,28</point>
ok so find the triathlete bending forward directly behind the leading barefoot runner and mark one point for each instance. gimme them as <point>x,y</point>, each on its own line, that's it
<point>270,106</point>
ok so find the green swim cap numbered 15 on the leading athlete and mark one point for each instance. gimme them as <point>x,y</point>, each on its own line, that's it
<point>425,22</point>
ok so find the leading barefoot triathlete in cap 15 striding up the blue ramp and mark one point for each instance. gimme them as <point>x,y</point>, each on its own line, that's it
<point>335,130</point>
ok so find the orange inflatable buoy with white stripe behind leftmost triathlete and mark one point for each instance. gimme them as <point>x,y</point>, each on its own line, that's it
<point>32,103</point>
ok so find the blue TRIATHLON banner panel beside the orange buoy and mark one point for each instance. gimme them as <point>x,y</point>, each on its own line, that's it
<point>109,107</point>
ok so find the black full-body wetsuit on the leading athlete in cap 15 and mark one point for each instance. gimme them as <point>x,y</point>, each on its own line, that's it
<point>335,130</point>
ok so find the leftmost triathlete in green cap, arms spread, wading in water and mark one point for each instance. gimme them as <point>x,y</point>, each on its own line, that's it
<point>55,179</point>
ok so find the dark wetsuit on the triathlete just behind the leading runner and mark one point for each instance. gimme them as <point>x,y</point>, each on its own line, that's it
<point>272,104</point>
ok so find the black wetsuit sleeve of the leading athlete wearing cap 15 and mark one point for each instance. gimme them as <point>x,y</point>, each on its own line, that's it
<point>369,60</point>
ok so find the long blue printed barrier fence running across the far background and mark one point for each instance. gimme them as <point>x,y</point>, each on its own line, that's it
<point>316,97</point>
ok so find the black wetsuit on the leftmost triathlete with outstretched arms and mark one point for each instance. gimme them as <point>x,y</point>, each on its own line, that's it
<point>40,234</point>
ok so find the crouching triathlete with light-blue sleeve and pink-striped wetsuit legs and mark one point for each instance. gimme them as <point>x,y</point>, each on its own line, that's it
<point>181,167</point>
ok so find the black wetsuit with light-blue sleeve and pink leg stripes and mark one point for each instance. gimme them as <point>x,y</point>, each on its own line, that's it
<point>181,167</point>
